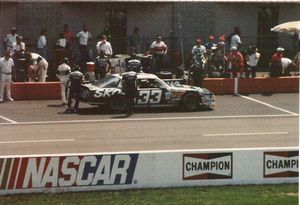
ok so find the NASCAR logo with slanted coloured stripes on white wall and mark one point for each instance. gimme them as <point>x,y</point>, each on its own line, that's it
<point>41,172</point>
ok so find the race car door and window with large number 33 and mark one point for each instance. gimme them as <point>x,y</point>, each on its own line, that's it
<point>150,92</point>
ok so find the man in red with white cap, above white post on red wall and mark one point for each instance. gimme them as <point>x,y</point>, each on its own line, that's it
<point>235,62</point>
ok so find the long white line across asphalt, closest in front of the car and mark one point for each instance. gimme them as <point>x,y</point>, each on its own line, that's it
<point>149,119</point>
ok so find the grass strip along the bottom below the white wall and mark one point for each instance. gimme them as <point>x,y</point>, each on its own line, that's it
<point>283,194</point>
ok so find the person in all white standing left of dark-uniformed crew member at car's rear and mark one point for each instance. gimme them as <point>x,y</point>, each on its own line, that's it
<point>63,73</point>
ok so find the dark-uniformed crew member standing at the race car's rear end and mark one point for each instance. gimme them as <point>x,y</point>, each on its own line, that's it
<point>76,79</point>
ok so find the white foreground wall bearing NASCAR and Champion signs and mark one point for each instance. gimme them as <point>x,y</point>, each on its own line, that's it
<point>138,170</point>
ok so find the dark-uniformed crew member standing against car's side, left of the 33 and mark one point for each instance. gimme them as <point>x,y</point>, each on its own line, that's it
<point>130,90</point>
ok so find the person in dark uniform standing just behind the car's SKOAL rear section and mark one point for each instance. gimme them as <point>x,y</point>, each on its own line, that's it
<point>102,65</point>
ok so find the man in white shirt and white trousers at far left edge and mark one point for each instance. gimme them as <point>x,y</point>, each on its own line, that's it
<point>6,71</point>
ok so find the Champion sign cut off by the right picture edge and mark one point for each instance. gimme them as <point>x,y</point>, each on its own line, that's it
<point>281,164</point>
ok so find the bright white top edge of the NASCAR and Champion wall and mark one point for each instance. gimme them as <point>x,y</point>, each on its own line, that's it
<point>151,151</point>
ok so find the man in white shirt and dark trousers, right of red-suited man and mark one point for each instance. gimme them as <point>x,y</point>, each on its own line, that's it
<point>252,58</point>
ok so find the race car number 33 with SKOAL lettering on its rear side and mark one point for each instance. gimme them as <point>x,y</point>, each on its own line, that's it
<point>151,92</point>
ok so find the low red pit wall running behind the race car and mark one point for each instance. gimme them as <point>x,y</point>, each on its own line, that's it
<point>219,86</point>
